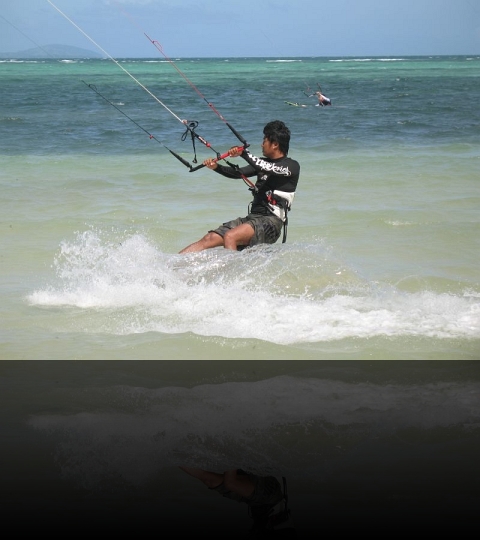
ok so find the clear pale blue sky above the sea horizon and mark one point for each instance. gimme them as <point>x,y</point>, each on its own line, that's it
<point>244,28</point>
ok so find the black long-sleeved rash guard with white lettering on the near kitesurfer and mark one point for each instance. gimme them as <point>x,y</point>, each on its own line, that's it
<point>272,174</point>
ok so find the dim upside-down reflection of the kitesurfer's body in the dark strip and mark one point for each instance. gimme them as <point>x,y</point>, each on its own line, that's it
<point>265,497</point>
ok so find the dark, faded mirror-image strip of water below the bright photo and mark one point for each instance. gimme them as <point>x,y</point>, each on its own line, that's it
<point>98,447</point>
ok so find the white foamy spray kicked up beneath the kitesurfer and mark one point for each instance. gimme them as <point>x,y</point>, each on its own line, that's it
<point>291,294</point>
